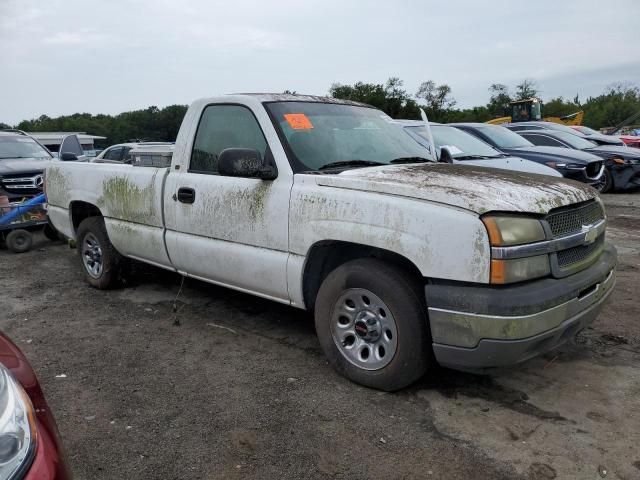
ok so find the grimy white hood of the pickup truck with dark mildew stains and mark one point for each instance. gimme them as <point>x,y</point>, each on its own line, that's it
<point>464,186</point>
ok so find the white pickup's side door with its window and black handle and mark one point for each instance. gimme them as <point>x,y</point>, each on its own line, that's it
<point>232,231</point>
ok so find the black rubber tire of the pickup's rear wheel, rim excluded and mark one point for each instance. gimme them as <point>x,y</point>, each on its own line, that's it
<point>110,275</point>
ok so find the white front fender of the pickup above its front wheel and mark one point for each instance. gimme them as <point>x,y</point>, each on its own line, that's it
<point>441,241</point>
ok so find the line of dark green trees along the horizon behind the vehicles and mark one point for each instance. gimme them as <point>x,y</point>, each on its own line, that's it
<point>617,103</point>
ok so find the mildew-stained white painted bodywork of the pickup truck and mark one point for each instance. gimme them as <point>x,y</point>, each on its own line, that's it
<point>254,235</point>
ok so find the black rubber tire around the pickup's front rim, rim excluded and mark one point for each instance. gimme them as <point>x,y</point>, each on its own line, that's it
<point>403,297</point>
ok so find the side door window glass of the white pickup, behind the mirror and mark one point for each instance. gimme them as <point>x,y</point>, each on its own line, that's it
<point>224,126</point>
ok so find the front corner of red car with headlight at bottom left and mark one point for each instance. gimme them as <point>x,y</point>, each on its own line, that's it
<point>30,445</point>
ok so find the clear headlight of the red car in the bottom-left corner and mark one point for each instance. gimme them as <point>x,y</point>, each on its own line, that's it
<point>17,426</point>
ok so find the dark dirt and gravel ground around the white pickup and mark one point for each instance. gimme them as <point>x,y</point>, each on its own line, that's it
<point>236,387</point>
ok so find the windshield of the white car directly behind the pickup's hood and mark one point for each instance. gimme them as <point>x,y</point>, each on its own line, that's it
<point>461,145</point>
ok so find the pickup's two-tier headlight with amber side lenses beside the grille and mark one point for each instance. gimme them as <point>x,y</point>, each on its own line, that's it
<point>507,231</point>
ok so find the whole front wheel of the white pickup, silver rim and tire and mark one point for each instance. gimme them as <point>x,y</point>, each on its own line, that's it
<point>371,321</point>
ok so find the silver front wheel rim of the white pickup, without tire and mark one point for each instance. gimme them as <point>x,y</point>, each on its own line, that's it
<point>363,329</point>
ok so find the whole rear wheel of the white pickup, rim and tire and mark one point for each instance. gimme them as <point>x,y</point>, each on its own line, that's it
<point>101,262</point>
